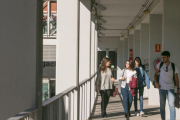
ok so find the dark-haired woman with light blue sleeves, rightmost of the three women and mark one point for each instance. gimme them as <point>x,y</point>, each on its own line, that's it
<point>143,80</point>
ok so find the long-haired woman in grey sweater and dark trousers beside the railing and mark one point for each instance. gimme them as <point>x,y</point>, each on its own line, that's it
<point>104,84</point>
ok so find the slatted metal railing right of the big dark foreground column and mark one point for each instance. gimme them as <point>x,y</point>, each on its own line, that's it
<point>63,106</point>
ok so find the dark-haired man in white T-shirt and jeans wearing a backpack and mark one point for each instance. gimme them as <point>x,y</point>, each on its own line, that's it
<point>166,84</point>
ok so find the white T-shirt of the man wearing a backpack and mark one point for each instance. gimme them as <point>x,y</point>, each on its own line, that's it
<point>166,78</point>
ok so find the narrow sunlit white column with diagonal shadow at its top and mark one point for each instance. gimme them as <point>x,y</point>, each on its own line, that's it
<point>85,22</point>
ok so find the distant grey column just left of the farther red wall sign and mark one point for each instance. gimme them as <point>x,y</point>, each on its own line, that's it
<point>126,52</point>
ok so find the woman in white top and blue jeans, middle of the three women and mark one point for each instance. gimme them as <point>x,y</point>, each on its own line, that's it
<point>127,73</point>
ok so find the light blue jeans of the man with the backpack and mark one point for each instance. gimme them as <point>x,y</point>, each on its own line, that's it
<point>171,98</point>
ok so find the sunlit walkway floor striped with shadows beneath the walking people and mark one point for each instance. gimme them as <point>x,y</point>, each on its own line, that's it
<point>115,110</point>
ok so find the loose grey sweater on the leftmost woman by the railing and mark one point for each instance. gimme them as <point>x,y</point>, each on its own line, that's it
<point>103,80</point>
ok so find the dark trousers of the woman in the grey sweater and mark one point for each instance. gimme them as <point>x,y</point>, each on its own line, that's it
<point>105,95</point>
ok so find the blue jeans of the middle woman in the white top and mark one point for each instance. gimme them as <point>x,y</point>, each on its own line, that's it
<point>127,98</point>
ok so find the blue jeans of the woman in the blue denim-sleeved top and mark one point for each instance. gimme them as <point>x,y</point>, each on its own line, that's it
<point>141,91</point>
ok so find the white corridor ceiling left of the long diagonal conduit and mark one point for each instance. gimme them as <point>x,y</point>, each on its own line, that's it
<point>119,14</point>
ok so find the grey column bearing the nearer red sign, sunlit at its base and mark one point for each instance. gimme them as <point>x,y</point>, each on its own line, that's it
<point>155,37</point>
